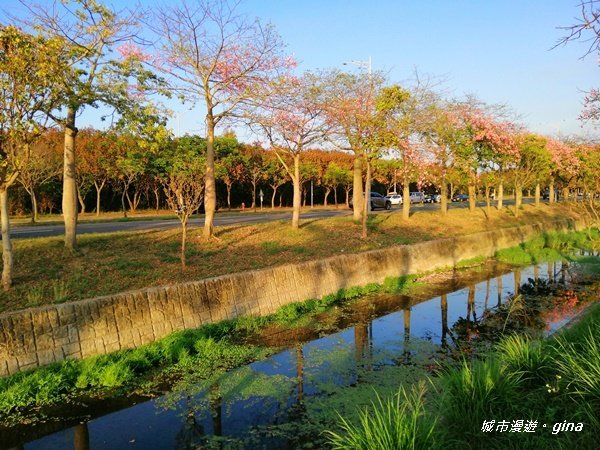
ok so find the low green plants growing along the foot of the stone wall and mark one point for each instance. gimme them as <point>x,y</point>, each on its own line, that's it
<point>214,347</point>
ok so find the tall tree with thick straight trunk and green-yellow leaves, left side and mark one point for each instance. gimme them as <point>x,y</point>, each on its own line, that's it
<point>89,75</point>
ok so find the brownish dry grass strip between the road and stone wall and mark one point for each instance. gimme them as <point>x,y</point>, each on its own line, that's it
<point>109,263</point>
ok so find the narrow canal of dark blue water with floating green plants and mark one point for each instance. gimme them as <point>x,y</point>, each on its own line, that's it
<point>283,401</point>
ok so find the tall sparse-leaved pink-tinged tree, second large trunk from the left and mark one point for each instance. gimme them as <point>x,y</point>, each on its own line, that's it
<point>214,56</point>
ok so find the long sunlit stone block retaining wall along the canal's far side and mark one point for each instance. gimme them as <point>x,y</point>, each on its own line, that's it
<point>39,336</point>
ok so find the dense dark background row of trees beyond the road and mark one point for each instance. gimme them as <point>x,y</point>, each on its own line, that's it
<point>113,162</point>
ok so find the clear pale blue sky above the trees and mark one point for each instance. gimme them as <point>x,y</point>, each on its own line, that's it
<point>499,50</point>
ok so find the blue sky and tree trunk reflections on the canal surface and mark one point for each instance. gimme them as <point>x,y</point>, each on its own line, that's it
<point>244,408</point>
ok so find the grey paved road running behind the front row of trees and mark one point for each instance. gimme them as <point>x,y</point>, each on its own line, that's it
<point>220,220</point>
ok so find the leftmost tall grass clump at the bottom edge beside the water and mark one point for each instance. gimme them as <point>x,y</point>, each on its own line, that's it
<point>397,423</point>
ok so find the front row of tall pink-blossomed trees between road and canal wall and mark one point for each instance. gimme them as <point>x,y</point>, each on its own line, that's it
<point>80,53</point>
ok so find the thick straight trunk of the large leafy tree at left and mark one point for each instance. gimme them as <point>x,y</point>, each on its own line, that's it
<point>69,199</point>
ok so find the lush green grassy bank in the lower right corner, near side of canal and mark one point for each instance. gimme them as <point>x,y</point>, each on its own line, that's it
<point>546,391</point>
